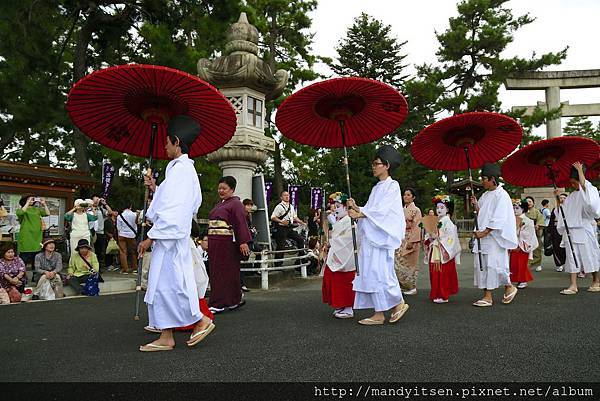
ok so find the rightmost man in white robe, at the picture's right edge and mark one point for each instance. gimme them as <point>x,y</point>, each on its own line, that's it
<point>580,208</point>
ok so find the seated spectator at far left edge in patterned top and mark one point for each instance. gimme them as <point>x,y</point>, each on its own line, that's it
<point>12,272</point>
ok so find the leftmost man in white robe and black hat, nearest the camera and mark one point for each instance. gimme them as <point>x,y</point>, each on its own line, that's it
<point>172,295</point>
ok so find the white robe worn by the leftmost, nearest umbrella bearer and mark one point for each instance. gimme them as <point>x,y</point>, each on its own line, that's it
<point>172,294</point>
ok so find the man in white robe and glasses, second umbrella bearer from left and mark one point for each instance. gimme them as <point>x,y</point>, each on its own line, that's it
<point>381,229</point>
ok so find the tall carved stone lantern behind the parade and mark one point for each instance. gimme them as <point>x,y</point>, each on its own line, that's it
<point>248,82</point>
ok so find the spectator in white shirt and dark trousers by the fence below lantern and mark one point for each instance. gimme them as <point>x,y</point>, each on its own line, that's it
<point>284,217</point>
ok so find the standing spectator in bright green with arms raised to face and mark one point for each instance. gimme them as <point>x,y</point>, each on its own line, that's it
<point>30,214</point>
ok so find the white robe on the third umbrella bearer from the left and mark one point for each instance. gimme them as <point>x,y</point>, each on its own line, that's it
<point>495,212</point>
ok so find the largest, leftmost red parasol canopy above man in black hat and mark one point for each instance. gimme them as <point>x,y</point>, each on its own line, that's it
<point>117,107</point>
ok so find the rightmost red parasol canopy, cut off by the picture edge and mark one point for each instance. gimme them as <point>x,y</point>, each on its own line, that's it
<point>549,161</point>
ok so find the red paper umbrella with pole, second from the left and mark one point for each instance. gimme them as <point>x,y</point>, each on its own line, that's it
<point>342,112</point>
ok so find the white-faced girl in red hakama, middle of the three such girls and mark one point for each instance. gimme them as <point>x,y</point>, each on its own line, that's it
<point>442,251</point>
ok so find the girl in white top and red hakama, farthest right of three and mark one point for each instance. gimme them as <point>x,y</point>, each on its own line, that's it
<point>519,257</point>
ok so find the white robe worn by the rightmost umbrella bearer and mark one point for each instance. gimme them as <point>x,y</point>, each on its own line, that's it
<point>580,209</point>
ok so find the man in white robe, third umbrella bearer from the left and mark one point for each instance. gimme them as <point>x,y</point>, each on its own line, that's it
<point>497,235</point>
